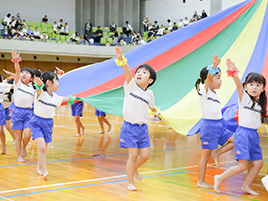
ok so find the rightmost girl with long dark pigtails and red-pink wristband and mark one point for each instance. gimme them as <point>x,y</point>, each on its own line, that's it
<point>252,106</point>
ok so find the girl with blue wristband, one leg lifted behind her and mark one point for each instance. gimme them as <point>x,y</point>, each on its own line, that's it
<point>212,131</point>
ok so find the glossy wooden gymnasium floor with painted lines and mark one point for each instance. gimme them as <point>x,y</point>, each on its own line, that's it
<point>93,167</point>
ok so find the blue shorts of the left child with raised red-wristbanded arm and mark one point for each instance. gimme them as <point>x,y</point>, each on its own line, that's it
<point>20,118</point>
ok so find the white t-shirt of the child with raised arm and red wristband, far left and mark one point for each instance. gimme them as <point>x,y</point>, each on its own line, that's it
<point>23,95</point>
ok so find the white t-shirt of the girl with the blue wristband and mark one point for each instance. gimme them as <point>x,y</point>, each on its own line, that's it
<point>210,104</point>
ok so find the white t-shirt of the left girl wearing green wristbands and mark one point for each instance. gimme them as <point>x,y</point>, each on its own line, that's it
<point>45,105</point>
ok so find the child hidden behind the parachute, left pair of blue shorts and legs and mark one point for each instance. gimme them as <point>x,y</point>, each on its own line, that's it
<point>77,112</point>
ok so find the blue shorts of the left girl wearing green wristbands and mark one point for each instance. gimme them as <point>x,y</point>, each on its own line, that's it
<point>41,128</point>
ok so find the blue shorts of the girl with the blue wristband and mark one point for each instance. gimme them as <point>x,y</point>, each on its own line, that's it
<point>212,133</point>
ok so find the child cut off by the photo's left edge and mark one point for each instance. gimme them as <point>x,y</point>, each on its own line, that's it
<point>4,88</point>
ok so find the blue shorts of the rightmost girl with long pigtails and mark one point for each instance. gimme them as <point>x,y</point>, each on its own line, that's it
<point>247,147</point>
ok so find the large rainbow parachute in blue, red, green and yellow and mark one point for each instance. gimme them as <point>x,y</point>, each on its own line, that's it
<point>239,33</point>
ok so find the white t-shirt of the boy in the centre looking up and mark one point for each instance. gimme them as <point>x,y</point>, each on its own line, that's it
<point>136,102</point>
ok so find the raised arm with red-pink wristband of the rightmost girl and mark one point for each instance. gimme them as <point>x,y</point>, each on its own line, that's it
<point>233,72</point>
